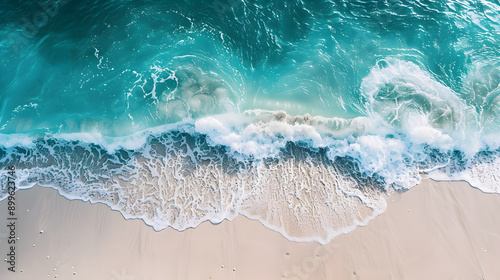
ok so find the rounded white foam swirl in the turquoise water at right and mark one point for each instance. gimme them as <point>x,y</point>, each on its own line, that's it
<point>412,102</point>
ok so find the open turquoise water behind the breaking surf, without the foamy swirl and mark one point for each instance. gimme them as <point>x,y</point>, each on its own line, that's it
<point>107,63</point>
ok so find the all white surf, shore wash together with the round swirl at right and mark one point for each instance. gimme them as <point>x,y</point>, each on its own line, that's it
<point>178,188</point>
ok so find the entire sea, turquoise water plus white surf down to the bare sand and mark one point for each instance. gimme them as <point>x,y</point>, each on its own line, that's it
<point>390,89</point>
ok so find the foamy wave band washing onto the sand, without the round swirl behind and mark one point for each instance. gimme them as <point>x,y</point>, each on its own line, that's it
<point>310,178</point>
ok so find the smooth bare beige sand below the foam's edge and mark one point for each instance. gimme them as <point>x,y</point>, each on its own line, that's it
<point>437,230</point>
